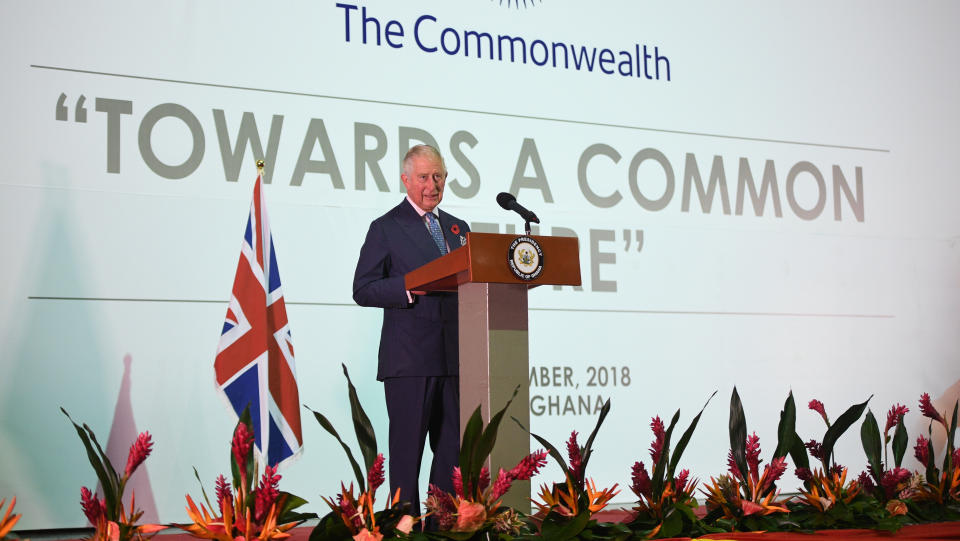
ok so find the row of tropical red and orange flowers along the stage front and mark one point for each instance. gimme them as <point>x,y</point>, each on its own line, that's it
<point>884,496</point>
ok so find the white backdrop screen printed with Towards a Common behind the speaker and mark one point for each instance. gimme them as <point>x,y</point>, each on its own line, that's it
<point>122,226</point>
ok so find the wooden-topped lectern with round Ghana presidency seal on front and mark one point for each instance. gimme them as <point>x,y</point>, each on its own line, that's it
<point>494,348</point>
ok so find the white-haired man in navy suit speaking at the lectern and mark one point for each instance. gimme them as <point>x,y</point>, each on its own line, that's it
<point>419,356</point>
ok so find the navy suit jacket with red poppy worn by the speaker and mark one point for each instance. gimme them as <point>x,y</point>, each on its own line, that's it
<point>419,338</point>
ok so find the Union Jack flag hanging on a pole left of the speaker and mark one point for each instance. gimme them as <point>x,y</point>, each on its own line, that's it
<point>254,365</point>
